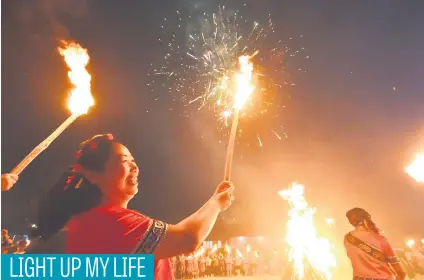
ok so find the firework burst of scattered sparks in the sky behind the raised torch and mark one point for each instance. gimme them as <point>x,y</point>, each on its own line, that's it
<point>202,60</point>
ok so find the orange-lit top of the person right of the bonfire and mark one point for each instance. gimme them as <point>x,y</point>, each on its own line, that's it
<point>366,266</point>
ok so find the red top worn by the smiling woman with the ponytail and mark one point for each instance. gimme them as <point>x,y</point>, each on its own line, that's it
<point>116,230</point>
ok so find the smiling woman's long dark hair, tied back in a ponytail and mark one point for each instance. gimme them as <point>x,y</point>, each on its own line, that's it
<point>73,194</point>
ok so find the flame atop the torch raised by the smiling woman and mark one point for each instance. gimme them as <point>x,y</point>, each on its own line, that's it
<point>244,81</point>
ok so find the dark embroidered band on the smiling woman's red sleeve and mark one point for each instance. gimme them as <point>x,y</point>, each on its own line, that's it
<point>154,234</point>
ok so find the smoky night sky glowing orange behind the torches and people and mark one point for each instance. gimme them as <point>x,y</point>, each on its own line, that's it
<point>350,133</point>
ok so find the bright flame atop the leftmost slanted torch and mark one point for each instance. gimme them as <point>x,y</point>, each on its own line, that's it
<point>76,57</point>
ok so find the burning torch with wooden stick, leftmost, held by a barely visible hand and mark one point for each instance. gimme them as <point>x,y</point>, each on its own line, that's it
<point>79,102</point>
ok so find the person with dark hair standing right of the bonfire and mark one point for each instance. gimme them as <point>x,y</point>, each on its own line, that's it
<point>369,251</point>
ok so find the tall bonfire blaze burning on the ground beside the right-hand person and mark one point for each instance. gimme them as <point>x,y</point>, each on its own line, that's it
<point>306,248</point>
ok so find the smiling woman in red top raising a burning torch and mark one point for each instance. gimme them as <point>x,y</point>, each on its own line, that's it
<point>91,201</point>
